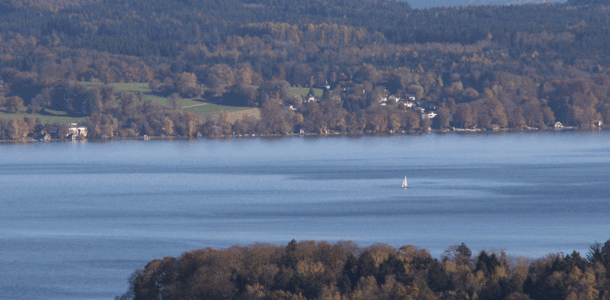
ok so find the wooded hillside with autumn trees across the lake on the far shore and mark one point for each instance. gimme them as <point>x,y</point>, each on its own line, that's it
<point>479,66</point>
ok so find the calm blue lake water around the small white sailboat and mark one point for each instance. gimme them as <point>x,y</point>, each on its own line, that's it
<point>78,219</point>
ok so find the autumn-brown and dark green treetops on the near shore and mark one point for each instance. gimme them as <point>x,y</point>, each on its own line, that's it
<point>320,270</point>
